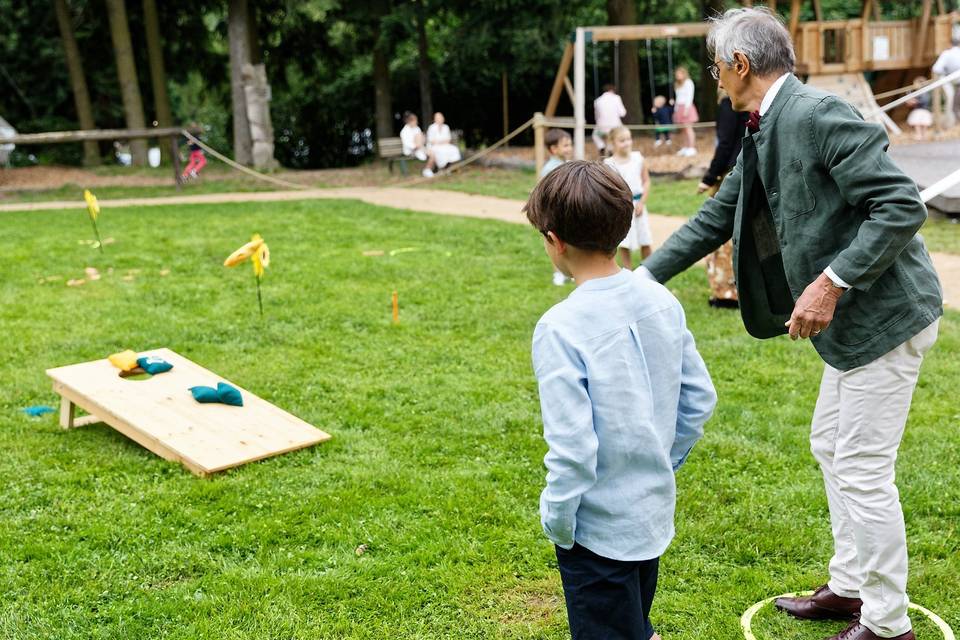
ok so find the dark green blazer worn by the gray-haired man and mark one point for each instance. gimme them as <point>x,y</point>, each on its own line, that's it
<point>836,200</point>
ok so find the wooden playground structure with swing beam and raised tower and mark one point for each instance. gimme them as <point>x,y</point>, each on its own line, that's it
<point>823,48</point>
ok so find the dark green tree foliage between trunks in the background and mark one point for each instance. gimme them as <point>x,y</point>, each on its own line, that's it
<point>319,59</point>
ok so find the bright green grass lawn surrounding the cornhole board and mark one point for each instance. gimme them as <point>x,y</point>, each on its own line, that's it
<point>436,458</point>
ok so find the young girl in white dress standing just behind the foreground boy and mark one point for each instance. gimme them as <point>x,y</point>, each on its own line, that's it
<point>631,167</point>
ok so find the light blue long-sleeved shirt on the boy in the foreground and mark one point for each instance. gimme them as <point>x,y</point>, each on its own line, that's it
<point>624,396</point>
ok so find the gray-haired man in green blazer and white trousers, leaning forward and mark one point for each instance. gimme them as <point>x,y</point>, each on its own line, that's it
<point>824,228</point>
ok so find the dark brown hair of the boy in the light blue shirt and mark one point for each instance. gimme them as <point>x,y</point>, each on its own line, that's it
<point>586,204</point>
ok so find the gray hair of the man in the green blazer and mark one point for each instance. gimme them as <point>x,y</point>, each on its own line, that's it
<point>756,33</point>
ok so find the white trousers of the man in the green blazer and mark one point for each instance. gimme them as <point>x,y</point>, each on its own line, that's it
<point>857,427</point>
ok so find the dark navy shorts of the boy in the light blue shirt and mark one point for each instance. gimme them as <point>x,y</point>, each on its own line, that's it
<point>607,599</point>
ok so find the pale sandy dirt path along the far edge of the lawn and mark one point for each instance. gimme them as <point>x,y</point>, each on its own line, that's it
<point>432,201</point>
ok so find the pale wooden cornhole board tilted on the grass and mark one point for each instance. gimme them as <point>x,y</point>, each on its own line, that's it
<point>160,414</point>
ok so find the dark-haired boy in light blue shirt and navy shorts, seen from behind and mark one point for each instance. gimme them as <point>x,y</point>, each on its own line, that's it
<point>624,396</point>
